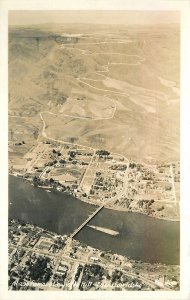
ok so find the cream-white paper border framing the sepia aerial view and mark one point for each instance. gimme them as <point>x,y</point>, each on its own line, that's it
<point>179,5</point>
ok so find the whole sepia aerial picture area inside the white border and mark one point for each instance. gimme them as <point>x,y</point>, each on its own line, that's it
<point>94,101</point>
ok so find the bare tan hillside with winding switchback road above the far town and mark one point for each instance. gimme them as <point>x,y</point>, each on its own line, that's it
<point>114,88</point>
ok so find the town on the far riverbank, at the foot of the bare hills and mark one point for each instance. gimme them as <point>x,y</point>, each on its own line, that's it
<point>102,178</point>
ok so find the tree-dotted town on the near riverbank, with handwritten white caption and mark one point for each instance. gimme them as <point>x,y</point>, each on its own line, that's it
<point>42,260</point>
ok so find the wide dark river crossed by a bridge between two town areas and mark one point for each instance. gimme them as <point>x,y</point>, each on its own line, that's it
<point>140,237</point>
